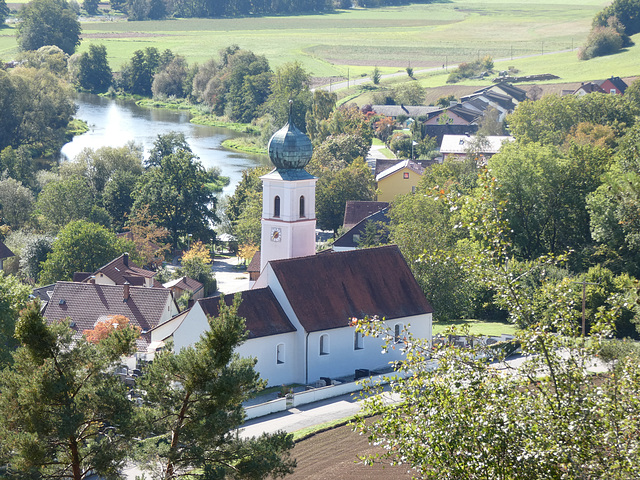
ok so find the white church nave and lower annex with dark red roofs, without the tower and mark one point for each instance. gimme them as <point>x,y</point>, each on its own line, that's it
<point>299,311</point>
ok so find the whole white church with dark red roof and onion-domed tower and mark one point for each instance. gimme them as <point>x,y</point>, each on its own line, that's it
<point>298,311</point>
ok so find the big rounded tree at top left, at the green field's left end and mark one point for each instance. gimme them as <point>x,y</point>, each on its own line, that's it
<point>48,22</point>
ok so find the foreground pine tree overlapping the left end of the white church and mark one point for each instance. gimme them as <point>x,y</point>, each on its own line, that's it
<point>201,415</point>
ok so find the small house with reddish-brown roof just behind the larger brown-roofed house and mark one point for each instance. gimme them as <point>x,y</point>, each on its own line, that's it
<point>119,271</point>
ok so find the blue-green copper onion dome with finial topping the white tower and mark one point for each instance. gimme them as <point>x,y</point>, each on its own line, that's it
<point>289,148</point>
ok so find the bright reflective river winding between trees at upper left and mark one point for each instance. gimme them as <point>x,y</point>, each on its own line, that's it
<point>114,122</point>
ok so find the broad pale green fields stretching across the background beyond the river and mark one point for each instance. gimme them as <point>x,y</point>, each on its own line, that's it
<point>353,41</point>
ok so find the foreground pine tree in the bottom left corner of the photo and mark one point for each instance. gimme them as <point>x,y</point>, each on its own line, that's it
<point>63,415</point>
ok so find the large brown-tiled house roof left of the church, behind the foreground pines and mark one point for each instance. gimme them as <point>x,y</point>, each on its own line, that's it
<point>86,304</point>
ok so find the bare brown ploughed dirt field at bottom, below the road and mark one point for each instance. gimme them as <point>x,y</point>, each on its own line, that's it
<point>331,455</point>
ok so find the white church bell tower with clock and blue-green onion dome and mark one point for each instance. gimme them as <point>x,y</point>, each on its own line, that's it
<point>289,198</point>
